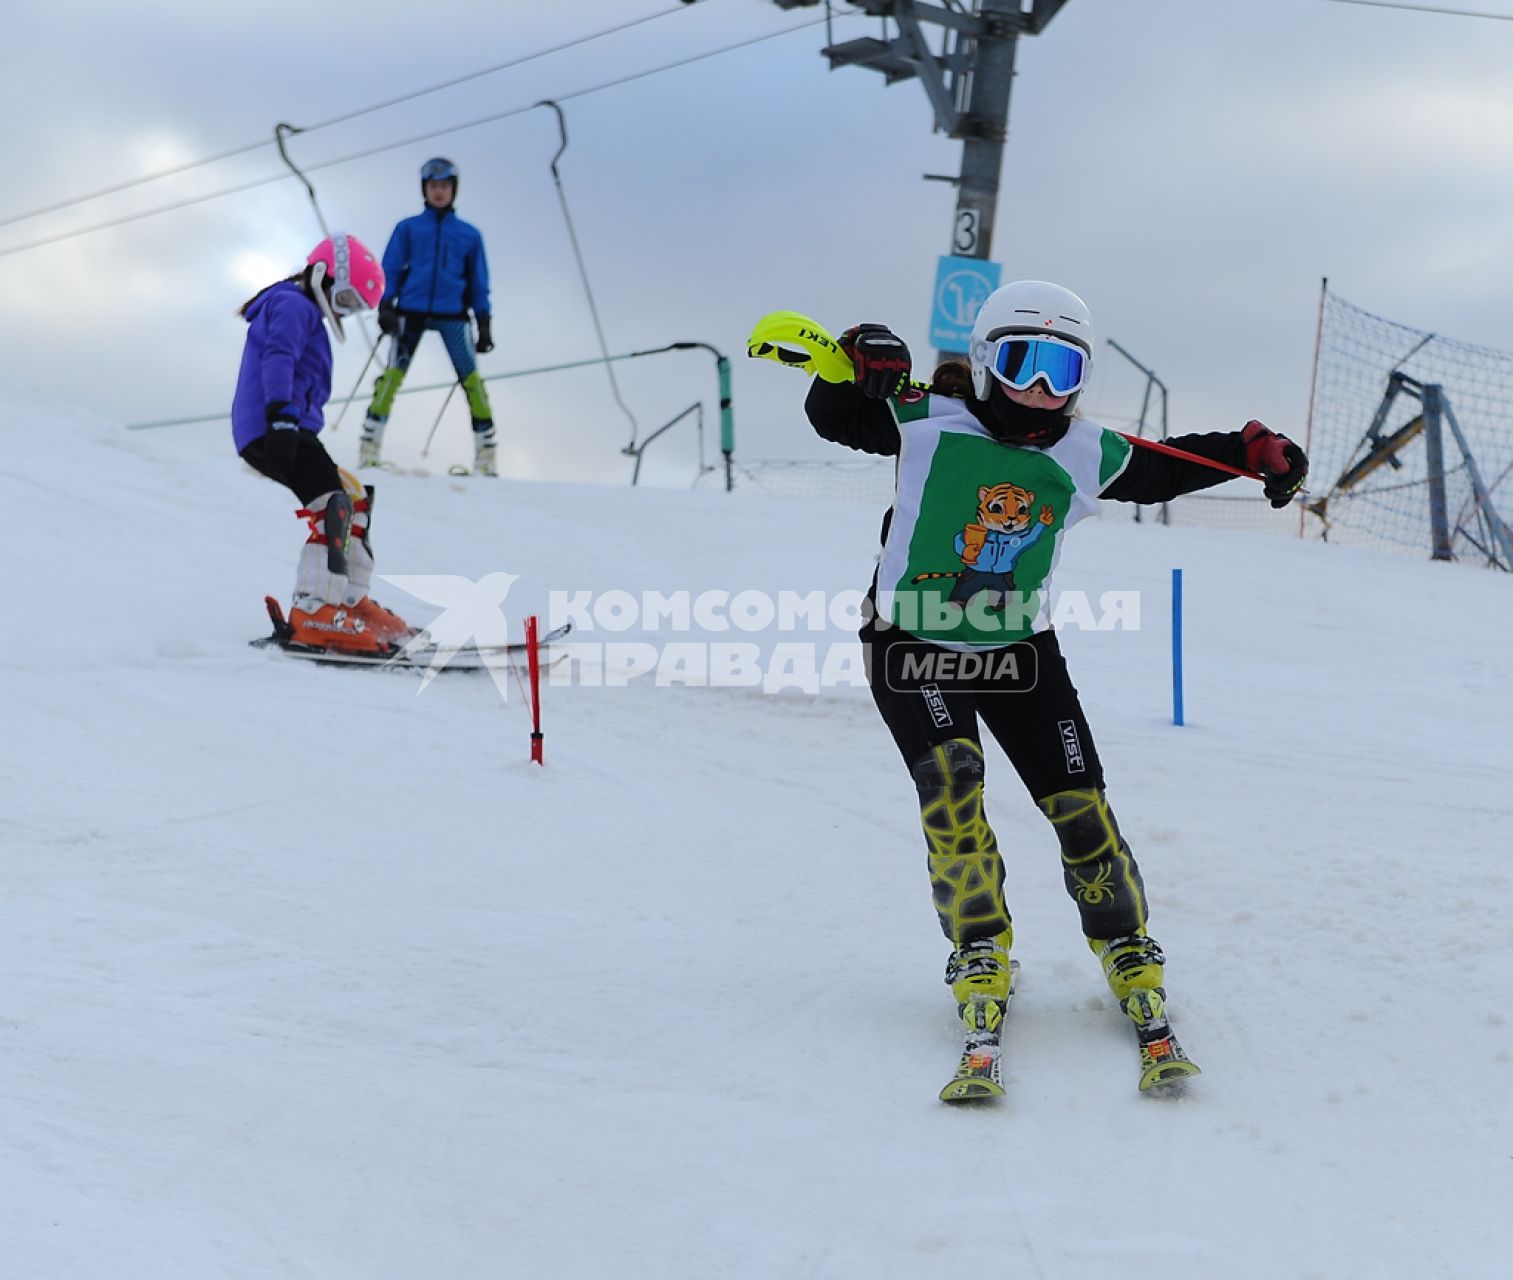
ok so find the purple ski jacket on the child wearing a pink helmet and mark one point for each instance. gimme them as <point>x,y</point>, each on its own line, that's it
<point>288,356</point>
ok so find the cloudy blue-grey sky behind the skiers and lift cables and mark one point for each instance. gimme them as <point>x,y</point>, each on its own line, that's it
<point>1191,167</point>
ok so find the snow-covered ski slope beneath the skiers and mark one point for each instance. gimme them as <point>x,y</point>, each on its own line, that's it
<point>305,974</point>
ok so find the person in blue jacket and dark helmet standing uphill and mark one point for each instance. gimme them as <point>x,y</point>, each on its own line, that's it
<point>437,273</point>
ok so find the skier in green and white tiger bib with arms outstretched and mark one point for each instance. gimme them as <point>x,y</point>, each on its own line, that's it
<point>990,479</point>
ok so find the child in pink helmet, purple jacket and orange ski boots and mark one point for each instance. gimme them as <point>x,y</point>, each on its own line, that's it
<point>276,420</point>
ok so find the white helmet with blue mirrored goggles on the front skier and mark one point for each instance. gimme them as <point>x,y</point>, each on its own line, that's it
<point>1033,332</point>
